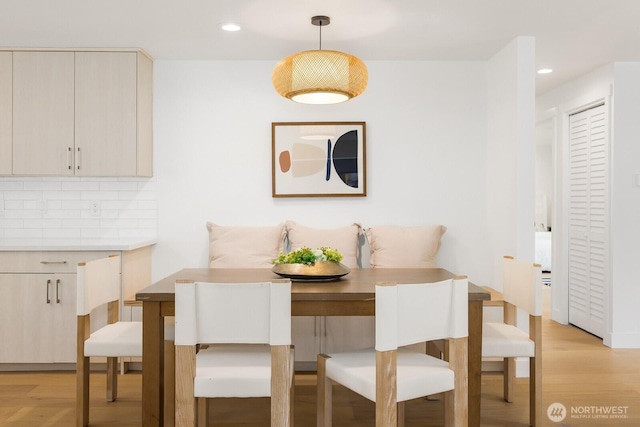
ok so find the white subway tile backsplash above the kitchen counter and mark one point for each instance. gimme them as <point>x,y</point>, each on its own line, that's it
<point>60,207</point>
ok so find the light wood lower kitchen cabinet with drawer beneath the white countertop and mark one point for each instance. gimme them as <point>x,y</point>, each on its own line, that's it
<point>38,303</point>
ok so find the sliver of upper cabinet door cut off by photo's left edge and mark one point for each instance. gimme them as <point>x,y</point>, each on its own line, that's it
<point>6,113</point>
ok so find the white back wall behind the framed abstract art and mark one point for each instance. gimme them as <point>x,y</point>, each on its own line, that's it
<point>426,153</point>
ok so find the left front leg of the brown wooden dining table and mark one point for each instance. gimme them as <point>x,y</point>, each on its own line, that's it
<point>152,365</point>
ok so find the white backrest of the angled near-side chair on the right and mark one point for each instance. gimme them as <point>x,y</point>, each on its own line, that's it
<point>413,313</point>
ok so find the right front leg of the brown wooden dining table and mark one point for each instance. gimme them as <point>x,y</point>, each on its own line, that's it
<point>475,361</point>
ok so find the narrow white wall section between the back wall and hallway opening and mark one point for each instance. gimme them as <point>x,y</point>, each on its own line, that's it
<point>511,153</point>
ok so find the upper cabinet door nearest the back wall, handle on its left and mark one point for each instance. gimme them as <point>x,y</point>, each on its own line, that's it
<point>105,113</point>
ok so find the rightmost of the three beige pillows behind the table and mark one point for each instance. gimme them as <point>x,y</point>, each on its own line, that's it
<point>404,247</point>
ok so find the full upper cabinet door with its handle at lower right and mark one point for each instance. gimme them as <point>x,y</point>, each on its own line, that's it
<point>43,113</point>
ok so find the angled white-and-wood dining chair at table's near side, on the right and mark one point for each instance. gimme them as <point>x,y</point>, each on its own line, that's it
<point>387,375</point>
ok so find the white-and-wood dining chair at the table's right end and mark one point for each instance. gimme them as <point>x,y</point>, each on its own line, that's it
<point>522,285</point>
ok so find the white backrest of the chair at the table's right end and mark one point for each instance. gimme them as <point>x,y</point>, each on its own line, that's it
<point>522,285</point>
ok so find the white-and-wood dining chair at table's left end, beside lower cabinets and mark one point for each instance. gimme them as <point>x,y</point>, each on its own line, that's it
<point>98,283</point>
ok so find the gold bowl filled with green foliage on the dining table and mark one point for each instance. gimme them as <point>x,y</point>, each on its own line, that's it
<point>308,264</point>
